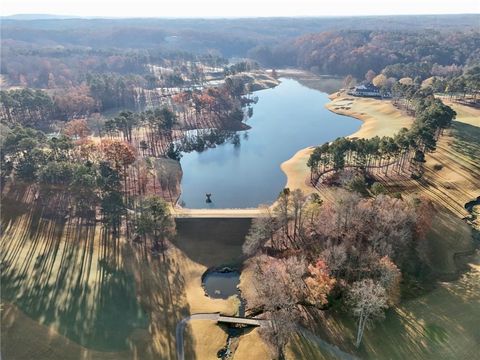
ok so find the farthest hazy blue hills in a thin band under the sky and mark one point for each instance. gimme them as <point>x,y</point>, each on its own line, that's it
<point>231,37</point>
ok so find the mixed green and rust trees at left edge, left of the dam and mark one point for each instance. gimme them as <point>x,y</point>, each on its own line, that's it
<point>105,178</point>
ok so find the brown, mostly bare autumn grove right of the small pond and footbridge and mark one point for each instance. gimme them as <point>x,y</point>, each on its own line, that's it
<point>351,243</point>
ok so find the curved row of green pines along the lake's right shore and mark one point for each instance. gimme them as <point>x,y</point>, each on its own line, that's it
<point>402,153</point>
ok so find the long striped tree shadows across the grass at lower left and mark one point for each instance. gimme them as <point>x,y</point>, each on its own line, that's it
<point>73,276</point>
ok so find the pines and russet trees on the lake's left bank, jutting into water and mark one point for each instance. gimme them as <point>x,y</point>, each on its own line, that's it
<point>192,121</point>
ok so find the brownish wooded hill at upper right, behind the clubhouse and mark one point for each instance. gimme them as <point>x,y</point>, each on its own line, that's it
<point>401,53</point>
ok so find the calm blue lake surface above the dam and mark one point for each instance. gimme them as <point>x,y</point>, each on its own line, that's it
<point>286,119</point>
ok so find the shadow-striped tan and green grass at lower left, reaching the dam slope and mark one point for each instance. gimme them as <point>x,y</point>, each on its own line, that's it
<point>71,291</point>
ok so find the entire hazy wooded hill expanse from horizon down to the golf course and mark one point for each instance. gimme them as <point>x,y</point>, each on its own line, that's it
<point>59,52</point>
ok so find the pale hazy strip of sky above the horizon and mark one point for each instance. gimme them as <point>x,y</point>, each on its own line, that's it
<point>236,8</point>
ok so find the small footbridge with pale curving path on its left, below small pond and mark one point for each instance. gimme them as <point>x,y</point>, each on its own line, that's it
<point>180,329</point>
